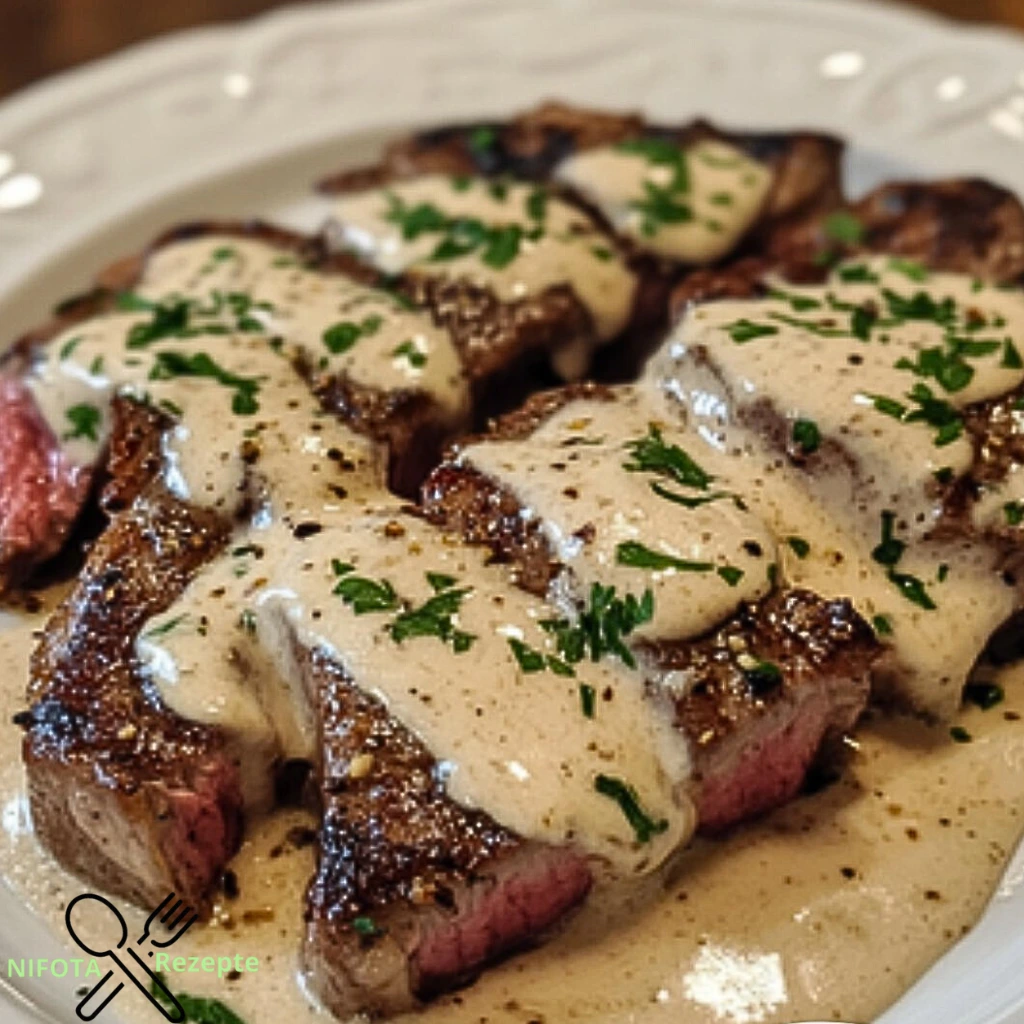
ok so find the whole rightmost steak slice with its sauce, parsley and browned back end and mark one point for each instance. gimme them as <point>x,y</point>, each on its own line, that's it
<point>870,466</point>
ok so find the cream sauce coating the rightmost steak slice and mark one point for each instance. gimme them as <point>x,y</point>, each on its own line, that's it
<point>837,510</point>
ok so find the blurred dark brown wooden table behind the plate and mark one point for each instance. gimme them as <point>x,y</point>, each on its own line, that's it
<point>40,37</point>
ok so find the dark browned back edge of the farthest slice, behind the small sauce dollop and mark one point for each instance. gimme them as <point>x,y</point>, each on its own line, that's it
<point>807,166</point>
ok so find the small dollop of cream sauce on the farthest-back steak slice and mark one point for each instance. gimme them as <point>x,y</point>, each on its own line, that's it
<point>708,195</point>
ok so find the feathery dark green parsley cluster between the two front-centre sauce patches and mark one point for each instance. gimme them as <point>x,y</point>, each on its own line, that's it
<point>602,628</point>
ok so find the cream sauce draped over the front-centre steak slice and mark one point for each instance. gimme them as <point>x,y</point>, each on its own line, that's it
<point>519,746</point>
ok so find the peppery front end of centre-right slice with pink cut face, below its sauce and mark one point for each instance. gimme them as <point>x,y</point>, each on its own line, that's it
<point>756,734</point>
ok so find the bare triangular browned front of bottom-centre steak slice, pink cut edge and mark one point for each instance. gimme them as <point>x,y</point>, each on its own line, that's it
<point>413,894</point>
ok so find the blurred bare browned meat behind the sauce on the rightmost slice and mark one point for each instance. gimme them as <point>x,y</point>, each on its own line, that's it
<point>961,225</point>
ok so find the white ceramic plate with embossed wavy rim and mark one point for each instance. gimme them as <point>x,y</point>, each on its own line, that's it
<point>240,121</point>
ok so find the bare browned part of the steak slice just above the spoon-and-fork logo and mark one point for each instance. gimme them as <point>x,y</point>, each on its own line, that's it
<point>124,793</point>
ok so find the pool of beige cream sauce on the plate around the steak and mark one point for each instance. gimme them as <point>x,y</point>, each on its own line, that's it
<point>761,928</point>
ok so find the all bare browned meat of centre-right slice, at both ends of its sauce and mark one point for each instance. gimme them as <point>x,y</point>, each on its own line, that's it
<point>759,698</point>
